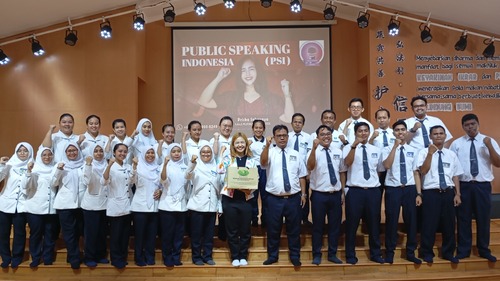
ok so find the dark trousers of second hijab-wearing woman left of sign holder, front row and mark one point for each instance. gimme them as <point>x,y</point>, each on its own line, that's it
<point>172,233</point>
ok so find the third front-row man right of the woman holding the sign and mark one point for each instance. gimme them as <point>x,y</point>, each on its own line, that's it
<point>364,161</point>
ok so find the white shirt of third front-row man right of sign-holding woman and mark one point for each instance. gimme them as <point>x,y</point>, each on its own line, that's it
<point>355,171</point>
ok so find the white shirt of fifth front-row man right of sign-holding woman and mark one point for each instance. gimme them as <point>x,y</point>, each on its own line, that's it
<point>451,167</point>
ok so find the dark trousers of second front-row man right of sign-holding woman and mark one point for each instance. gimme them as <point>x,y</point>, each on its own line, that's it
<point>325,204</point>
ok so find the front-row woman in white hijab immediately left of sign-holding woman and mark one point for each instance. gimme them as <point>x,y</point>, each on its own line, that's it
<point>203,203</point>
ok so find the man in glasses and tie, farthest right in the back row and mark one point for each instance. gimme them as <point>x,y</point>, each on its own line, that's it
<point>419,136</point>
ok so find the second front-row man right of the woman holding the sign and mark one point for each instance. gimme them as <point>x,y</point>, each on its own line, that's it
<point>327,174</point>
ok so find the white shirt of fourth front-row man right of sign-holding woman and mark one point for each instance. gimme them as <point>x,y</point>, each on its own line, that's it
<point>393,177</point>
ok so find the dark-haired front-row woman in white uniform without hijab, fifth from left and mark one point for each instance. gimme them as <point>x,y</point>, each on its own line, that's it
<point>119,178</point>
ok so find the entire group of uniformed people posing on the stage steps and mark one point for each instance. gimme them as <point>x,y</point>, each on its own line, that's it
<point>90,184</point>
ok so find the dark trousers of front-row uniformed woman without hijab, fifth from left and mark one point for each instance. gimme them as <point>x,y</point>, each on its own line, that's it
<point>119,234</point>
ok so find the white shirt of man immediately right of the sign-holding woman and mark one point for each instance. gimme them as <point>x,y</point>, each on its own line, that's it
<point>274,171</point>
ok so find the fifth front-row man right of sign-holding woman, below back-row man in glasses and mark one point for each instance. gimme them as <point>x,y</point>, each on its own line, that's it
<point>439,168</point>
